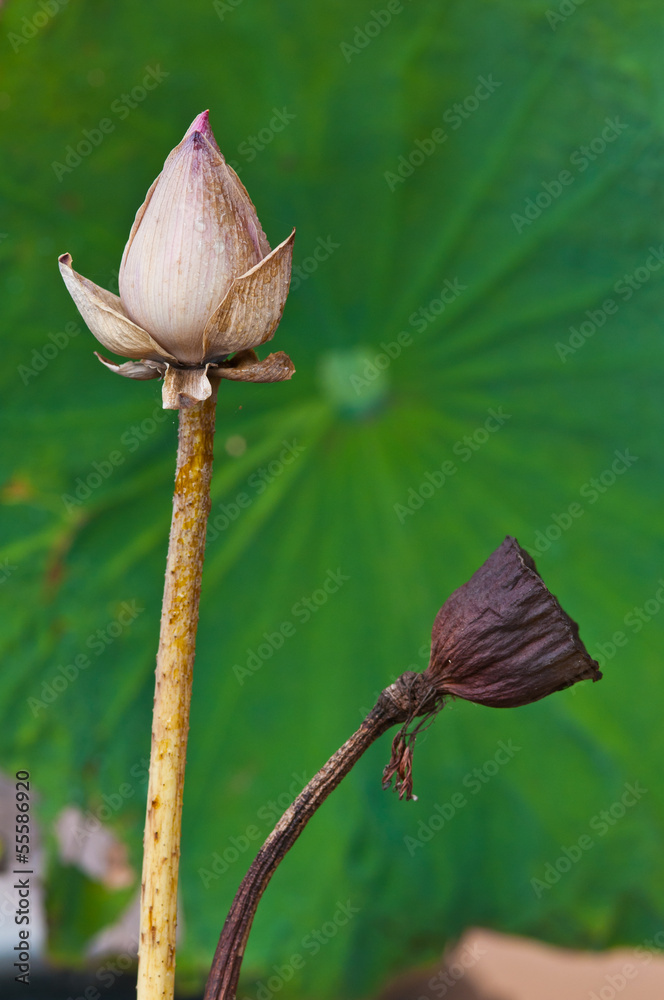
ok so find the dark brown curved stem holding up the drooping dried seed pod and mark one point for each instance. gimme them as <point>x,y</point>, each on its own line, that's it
<point>225,971</point>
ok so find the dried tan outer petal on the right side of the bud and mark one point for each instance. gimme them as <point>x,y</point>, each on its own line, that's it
<point>252,309</point>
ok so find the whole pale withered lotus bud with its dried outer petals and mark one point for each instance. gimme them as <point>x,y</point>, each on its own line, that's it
<point>198,281</point>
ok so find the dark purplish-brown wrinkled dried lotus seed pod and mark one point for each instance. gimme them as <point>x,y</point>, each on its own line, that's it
<point>503,640</point>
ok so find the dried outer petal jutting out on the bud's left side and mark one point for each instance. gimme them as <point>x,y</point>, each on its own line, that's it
<point>106,318</point>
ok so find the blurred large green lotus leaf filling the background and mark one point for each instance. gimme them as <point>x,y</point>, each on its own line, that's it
<point>513,262</point>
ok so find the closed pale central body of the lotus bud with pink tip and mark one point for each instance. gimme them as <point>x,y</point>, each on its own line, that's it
<point>195,233</point>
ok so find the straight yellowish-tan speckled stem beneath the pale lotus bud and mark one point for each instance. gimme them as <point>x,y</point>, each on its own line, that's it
<point>170,725</point>
